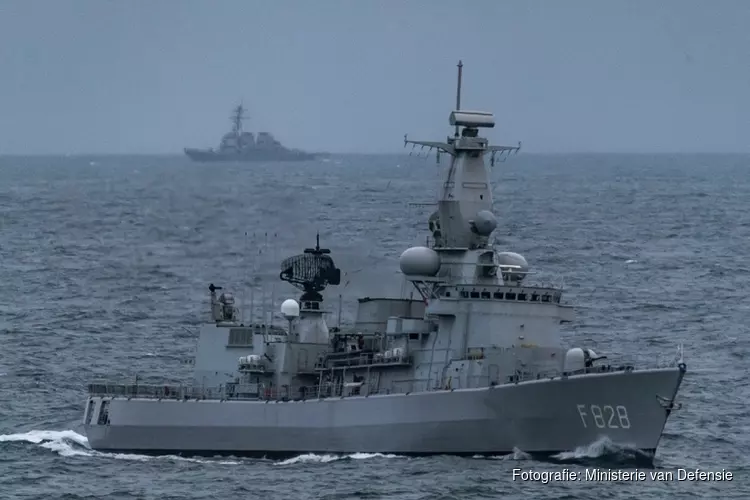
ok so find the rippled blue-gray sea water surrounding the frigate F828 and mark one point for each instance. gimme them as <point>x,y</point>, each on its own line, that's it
<point>106,262</point>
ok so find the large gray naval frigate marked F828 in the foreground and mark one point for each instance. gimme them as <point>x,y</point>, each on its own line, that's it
<point>473,366</point>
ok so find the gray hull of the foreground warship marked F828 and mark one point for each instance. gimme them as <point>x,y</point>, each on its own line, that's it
<point>540,416</point>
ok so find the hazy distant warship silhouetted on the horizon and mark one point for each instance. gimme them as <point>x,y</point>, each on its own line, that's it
<point>238,145</point>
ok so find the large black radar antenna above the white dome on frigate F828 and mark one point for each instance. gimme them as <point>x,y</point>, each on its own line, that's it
<point>311,271</point>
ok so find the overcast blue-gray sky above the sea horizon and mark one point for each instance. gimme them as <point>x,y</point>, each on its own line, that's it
<point>150,76</point>
